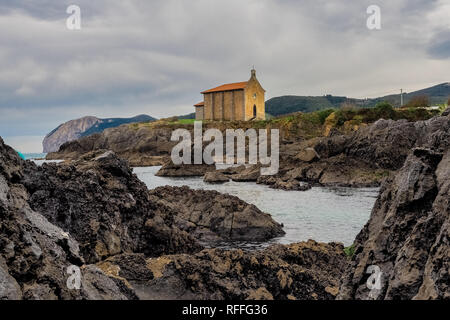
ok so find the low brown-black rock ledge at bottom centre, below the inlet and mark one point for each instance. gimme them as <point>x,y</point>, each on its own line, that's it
<point>307,270</point>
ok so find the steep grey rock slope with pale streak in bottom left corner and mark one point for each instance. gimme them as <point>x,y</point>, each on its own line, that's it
<point>35,254</point>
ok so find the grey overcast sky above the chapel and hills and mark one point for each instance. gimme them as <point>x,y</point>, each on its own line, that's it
<point>154,57</point>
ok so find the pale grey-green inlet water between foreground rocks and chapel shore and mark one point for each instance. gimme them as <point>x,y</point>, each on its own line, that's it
<point>323,214</point>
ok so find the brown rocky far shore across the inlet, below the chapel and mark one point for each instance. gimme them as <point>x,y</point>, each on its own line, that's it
<point>363,158</point>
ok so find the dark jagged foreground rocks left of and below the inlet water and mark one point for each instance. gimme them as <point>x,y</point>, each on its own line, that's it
<point>130,243</point>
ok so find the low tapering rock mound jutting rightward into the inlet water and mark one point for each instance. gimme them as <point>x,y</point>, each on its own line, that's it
<point>212,216</point>
